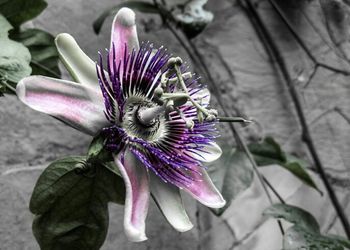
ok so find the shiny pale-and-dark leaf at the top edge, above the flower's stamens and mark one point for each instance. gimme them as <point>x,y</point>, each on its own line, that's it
<point>194,18</point>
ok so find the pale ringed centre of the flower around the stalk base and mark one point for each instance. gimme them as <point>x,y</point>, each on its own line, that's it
<point>137,128</point>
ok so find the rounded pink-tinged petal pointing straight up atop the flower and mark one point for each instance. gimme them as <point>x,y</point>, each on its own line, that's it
<point>124,33</point>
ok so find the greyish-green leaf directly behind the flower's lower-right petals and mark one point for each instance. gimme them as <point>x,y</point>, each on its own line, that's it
<point>232,174</point>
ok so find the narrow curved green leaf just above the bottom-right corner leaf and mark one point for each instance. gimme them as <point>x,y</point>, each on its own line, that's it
<point>294,215</point>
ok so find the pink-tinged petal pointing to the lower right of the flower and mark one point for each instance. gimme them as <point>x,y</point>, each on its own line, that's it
<point>203,189</point>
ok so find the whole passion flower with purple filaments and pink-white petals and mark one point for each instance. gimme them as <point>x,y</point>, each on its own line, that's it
<point>155,149</point>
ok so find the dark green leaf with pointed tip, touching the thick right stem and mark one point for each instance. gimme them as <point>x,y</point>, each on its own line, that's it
<point>269,152</point>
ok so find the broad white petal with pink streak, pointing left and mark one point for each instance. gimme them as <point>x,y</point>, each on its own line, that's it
<point>75,104</point>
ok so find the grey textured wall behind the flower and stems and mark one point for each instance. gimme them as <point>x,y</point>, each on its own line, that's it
<point>248,83</point>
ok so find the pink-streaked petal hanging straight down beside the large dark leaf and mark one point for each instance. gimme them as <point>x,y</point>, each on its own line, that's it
<point>136,181</point>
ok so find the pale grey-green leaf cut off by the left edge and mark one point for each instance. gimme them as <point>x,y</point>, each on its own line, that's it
<point>14,57</point>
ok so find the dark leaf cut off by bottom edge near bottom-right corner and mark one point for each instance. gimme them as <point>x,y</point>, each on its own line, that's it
<point>297,238</point>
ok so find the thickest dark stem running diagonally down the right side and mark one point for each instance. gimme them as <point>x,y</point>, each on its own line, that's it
<point>274,53</point>
